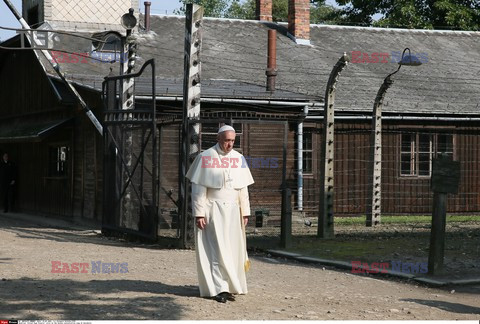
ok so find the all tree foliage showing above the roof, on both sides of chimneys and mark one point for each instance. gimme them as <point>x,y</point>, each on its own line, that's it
<point>422,14</point>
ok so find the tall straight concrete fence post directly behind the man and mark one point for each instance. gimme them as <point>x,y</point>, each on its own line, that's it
<point>191,114</point>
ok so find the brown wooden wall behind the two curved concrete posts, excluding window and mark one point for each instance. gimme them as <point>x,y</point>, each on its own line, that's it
<point>400,195</point>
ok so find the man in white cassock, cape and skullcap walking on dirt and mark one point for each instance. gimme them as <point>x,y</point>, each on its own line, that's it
<point>220,204</point>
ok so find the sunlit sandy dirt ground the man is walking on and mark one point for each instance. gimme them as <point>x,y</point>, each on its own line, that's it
<point>161,285</point>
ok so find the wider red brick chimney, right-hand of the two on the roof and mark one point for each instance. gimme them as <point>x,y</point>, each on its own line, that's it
<point>299,20</point>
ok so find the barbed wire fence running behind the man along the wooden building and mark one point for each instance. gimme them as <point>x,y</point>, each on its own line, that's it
<point>406,171</point>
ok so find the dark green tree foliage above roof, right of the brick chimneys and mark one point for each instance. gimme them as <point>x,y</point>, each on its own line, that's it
<point>421,14</point>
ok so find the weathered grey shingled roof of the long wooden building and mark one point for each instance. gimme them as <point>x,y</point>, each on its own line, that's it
<point>234,56</point>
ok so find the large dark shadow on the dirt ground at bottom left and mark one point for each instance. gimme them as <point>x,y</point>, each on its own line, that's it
<point>26,298</point>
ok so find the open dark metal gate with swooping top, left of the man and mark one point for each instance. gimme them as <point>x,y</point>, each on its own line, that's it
<point>130,162</point>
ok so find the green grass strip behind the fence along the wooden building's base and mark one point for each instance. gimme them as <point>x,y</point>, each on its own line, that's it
<point>405,238</point>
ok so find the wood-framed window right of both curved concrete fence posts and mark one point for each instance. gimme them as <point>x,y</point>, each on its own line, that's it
<point>418,149</point>
